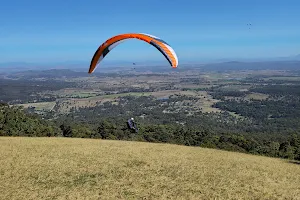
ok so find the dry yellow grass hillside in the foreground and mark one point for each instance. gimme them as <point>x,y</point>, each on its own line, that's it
<point>68,168</point>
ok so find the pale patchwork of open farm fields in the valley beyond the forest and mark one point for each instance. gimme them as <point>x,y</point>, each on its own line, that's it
<point>94,90</point>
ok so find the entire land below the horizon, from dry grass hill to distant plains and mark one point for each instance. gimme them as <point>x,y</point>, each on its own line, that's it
<point>239,119</point>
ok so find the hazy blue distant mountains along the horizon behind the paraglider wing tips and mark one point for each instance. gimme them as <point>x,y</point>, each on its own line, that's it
<point>291,62</point>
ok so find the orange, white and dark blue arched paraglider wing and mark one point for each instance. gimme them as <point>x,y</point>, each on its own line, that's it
<point>111,43</point>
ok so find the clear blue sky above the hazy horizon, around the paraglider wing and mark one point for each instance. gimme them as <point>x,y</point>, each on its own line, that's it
<point>54,31</point>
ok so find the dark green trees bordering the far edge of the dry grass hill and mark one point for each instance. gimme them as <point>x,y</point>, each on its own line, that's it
<point>15,122</point>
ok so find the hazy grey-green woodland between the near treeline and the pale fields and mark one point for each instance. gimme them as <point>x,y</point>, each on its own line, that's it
<point>266,120</point>
